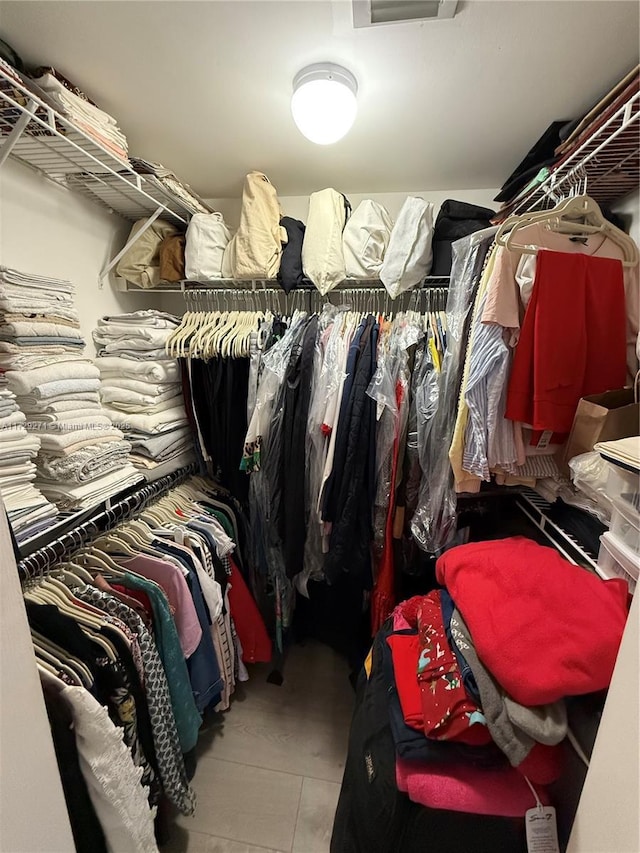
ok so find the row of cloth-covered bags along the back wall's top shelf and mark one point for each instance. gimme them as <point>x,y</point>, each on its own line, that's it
<point>335,246</point>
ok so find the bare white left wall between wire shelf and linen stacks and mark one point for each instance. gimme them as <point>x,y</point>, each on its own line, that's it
<point>49,230</point>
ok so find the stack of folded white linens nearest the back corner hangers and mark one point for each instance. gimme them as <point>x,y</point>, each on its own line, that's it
<point>141,389</point>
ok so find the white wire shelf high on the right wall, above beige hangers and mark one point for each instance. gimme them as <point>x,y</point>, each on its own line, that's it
<point>609,159</point>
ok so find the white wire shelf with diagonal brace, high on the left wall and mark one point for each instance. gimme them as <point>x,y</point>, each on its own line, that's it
<point>43,139</point>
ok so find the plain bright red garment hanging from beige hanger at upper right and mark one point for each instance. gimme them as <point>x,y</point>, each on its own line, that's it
<point>573,339</point>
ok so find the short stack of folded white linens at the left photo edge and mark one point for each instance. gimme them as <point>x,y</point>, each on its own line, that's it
<point>29,512</point>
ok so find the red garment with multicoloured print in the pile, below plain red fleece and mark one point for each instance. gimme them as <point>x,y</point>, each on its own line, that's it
<point>449,714</point>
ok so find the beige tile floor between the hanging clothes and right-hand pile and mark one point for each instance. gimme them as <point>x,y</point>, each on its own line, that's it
<point>269,769</point>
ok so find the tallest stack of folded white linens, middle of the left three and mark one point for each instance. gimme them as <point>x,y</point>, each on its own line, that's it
<point>82,458</point>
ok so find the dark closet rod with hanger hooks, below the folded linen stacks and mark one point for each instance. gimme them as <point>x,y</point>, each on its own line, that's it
<point>40,561</point>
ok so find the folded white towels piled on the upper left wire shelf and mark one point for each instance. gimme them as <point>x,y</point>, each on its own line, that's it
<point>82,112</point>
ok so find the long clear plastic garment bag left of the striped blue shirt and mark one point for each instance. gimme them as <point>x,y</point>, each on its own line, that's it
<point>434,522</point>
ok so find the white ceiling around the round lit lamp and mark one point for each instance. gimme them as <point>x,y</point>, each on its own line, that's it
<point>204,87</point>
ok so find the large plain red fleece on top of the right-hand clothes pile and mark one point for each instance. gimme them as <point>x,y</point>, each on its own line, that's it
<point>543,627</point>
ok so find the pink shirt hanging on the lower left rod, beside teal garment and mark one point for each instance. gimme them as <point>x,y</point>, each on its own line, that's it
<point>175,587</point>
